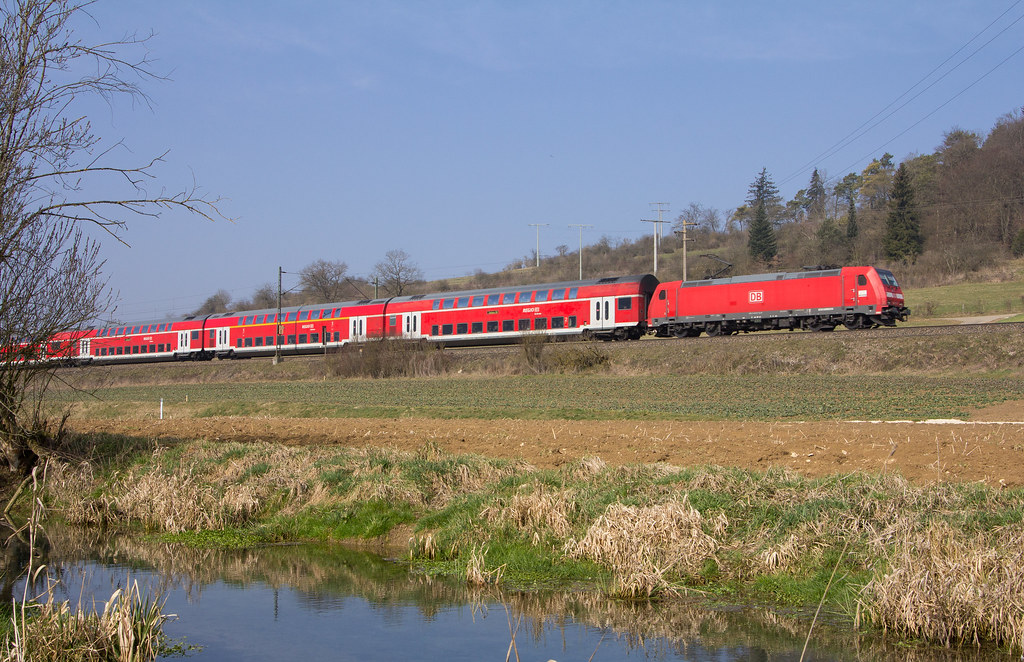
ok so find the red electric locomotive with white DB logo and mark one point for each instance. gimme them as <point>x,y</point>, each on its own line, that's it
<point>859,298</point>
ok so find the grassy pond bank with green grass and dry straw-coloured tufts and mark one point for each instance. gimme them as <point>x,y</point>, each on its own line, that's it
<point>636,531</point>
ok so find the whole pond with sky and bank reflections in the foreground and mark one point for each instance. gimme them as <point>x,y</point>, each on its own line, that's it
<point>331,603</point>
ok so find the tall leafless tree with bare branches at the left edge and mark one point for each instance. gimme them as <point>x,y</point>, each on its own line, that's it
<point>57,178</point>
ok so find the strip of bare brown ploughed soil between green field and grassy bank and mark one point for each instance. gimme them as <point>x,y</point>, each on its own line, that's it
<point>991,448</point>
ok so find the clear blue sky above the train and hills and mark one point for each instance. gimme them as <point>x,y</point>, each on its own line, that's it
<point>342,131</point>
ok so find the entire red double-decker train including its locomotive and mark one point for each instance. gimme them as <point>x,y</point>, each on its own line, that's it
<point>620,308</point>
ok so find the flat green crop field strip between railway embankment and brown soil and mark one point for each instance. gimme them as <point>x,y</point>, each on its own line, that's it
<point>576,397</point>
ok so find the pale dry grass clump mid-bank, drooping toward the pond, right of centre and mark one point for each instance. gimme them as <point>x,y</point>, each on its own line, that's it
<point>644,546</point>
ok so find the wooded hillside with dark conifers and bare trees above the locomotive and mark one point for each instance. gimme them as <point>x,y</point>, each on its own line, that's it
<point>936,217</point>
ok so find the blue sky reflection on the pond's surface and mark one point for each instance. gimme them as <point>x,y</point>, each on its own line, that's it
<point>253,622</point>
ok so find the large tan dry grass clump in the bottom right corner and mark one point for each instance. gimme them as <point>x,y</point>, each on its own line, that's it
<point>945,589</point>
